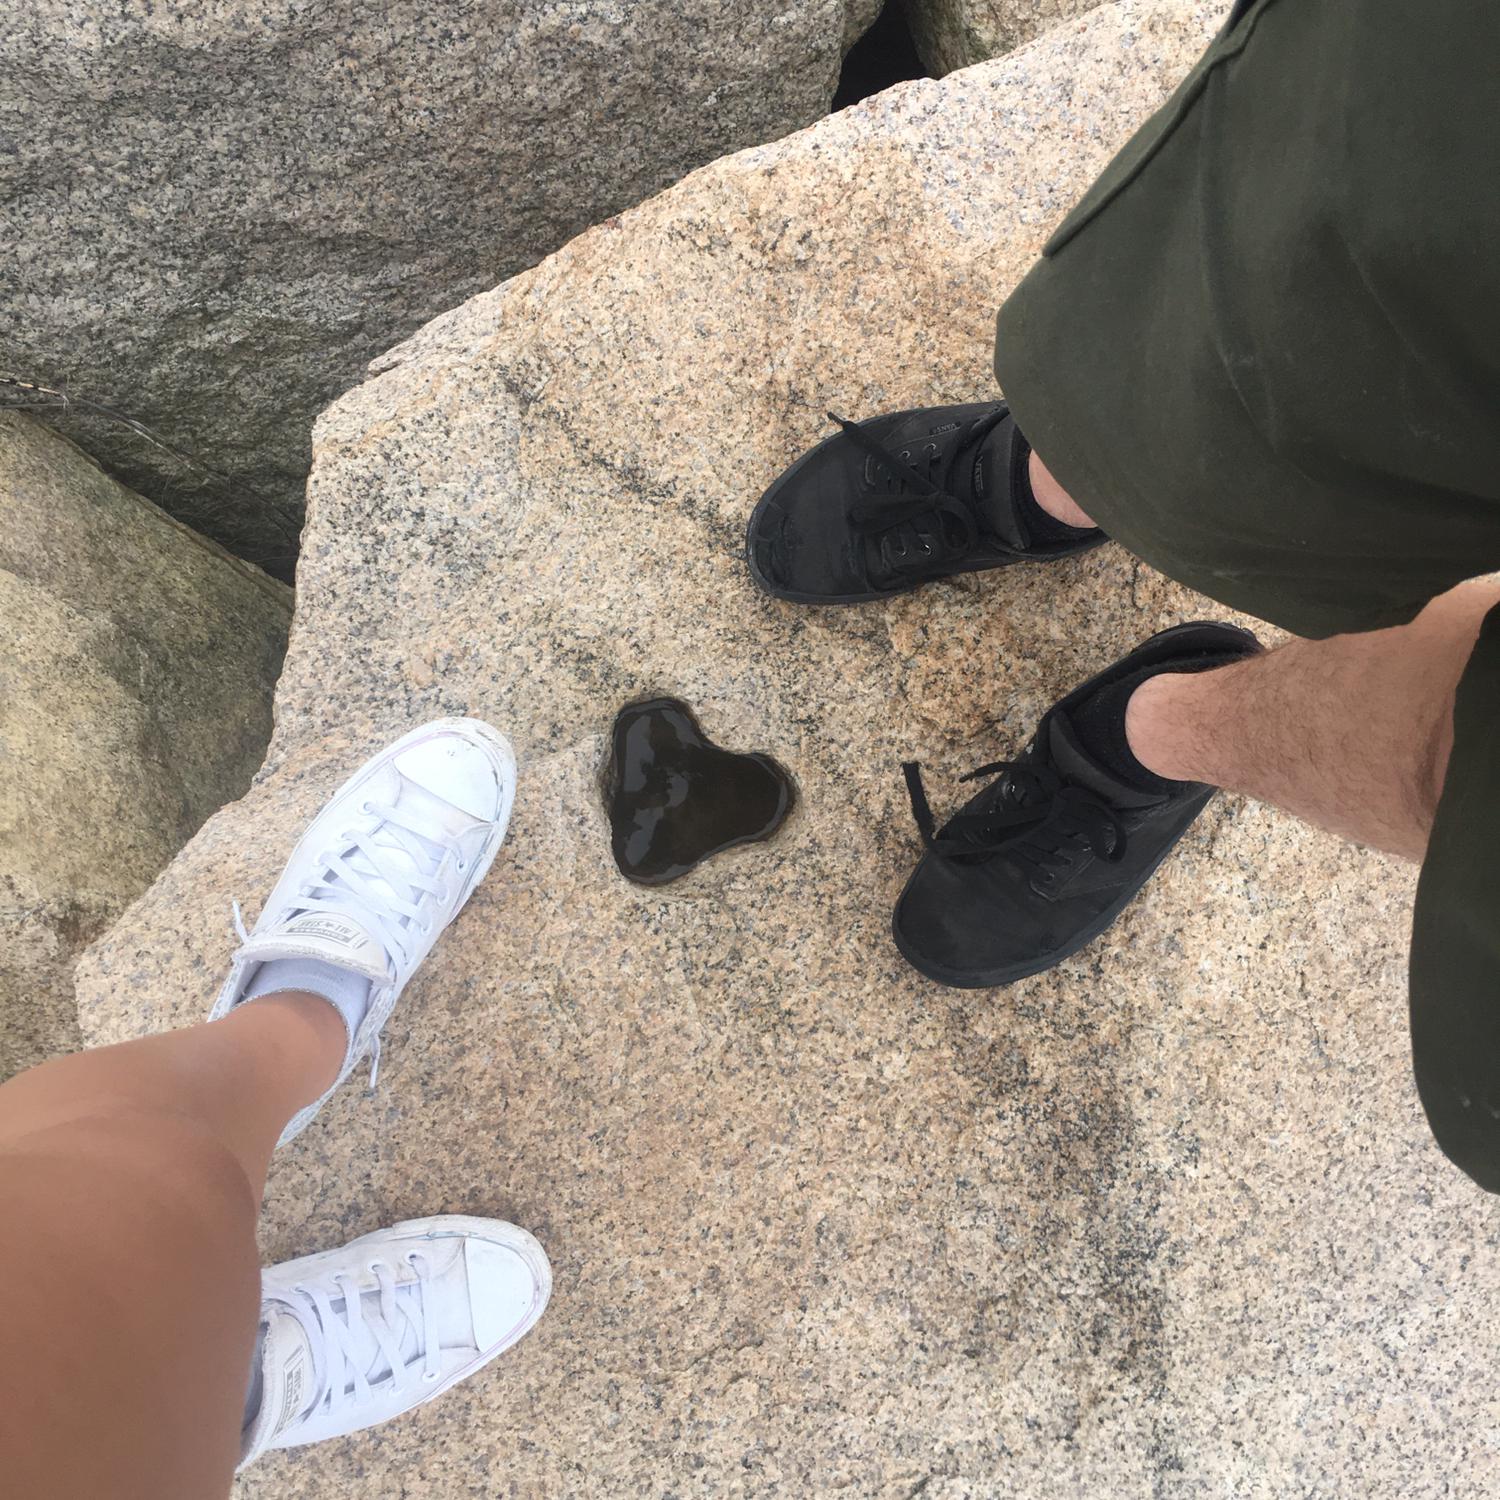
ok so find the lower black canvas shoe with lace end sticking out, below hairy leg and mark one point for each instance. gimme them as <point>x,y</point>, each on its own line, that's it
<point>1046,857</point>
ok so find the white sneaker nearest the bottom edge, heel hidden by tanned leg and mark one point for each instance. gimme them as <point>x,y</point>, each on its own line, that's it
<point>358,1336</point>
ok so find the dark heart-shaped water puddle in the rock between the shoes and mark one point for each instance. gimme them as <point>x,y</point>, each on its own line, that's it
<point>674,797</point>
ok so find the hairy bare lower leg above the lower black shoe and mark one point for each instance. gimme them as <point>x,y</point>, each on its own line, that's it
<point>1352,733</point>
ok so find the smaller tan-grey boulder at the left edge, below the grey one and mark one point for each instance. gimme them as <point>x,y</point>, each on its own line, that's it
<point>136,691</point>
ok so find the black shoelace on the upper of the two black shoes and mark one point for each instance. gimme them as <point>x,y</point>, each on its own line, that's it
<point>922,530</point>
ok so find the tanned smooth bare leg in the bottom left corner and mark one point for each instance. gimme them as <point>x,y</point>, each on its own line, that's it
<point>131,1180</point>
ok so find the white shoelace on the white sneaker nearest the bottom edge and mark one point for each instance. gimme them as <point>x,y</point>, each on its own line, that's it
<point>349,1373</point>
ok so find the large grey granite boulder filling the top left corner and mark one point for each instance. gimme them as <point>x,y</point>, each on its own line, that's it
<point>217,212</point>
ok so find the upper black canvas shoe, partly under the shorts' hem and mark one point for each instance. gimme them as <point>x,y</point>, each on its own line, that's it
<point>889,505</point>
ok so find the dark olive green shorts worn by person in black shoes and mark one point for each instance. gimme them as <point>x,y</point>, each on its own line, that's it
<point>1264,353</point>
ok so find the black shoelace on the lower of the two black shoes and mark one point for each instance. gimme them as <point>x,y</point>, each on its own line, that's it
<point>1064,821</point>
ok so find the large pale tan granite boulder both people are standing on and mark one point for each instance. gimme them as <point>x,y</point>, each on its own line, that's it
<point>1163,1223</point>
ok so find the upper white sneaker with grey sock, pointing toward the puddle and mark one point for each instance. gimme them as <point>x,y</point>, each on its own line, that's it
<point>383,869</point>
